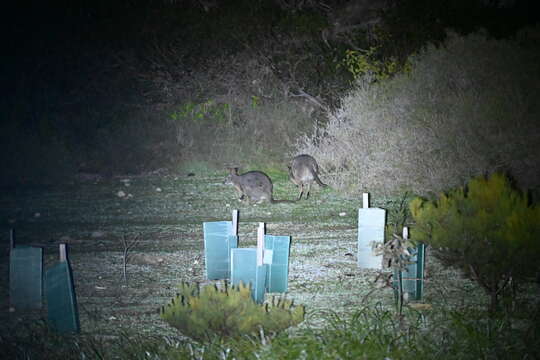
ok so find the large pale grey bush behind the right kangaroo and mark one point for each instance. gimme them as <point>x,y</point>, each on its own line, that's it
<point>466,108</point>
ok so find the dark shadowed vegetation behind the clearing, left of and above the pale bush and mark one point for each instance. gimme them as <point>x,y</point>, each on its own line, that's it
<point>128,87</point>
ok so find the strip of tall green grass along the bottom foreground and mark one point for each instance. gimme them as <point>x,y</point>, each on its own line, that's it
<point>370,333</point>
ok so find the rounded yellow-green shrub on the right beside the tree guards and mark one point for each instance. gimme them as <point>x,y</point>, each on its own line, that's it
<point>488,230</point>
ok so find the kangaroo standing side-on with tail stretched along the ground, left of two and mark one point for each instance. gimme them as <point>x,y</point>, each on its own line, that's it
<point>256,185</point>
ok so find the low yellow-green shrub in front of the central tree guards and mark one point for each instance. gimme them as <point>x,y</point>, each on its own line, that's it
<point>227,312</point>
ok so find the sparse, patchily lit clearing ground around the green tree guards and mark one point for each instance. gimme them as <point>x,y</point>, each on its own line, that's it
<point>164,213</point>
